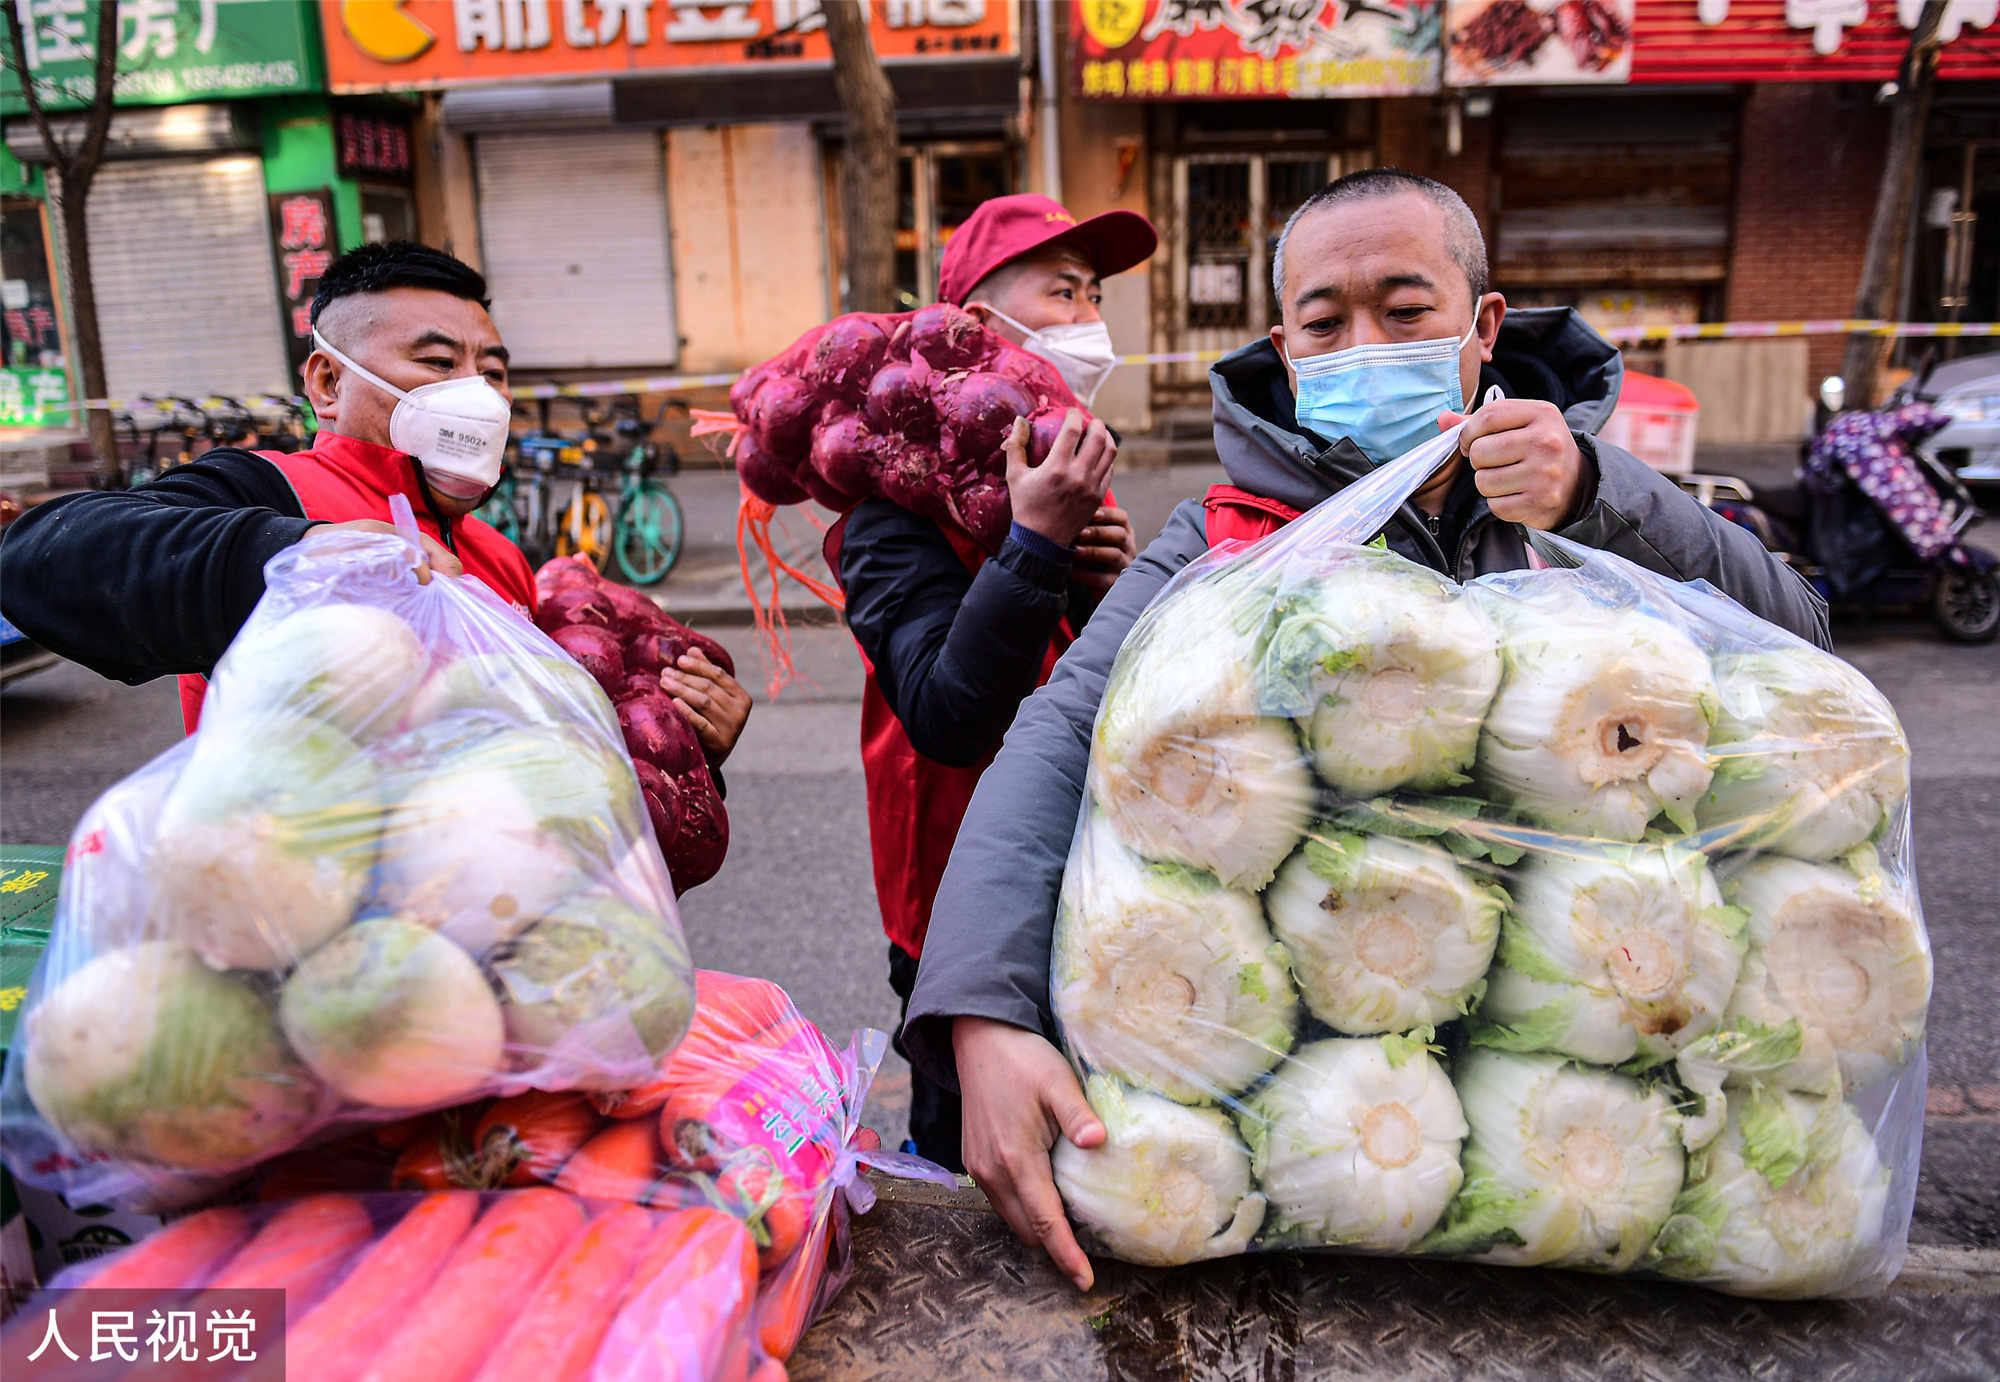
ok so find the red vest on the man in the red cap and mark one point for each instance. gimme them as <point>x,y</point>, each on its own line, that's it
<point>915,803</point>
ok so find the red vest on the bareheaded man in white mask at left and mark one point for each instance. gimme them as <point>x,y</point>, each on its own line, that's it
<point>341,481</point>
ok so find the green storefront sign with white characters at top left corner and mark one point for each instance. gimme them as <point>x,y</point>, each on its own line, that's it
<point>169,51</point>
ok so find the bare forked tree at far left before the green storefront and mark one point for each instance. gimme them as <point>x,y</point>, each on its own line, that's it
<point>75,167</point>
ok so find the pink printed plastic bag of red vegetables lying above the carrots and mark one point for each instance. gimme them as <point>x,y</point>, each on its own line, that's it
<point>755,1115</point>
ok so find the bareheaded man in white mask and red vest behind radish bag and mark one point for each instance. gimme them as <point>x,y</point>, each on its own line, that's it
<point>409,385</point>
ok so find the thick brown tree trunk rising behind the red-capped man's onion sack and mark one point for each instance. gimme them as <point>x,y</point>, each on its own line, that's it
<point>867,161</point>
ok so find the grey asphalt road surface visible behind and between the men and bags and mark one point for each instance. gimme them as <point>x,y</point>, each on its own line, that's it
<point>795,901</point>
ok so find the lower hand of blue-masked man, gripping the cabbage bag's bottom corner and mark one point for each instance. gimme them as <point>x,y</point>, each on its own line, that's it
<point>1021,1095</point>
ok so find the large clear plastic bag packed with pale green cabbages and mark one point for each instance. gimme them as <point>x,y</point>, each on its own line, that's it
<point>1565,919</point>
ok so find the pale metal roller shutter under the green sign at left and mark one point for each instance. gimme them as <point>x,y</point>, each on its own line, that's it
<point>181,263</point>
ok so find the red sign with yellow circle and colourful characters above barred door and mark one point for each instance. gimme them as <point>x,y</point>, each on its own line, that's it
<point>1253,49</point>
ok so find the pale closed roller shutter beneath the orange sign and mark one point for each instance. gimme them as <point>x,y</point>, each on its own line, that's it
<point>575,245</point>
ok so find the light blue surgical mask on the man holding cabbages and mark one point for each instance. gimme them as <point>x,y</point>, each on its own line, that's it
<point>1383,399</point>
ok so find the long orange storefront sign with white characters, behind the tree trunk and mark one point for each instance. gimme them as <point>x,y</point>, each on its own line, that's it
<point>375,45</point>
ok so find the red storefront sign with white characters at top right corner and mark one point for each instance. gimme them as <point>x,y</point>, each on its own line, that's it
<point>1803,41</point>
